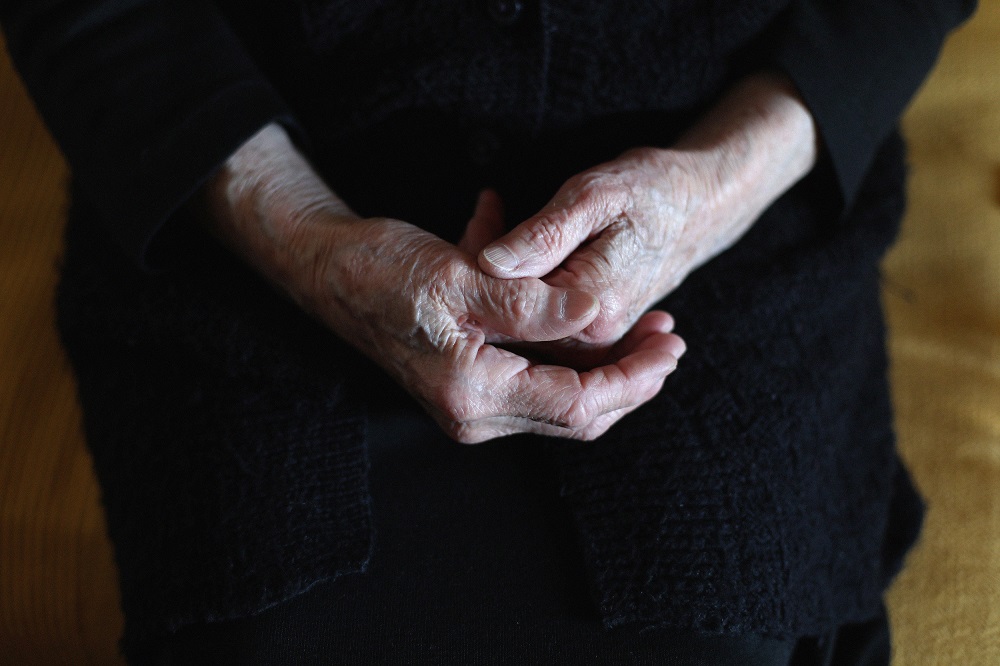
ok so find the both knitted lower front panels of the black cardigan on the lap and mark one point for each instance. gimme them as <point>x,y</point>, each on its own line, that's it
<point>756,494</point>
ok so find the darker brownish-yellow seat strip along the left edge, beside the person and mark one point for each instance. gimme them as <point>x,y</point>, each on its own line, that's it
<point>58,595</point>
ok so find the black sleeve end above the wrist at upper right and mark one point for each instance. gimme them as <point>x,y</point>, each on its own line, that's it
<point>857,64</point>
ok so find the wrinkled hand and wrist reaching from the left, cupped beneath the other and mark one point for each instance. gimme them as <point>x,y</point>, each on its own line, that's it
<point>423,310</point>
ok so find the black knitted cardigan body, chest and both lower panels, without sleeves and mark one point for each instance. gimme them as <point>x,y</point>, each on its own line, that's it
<point>759,492</point>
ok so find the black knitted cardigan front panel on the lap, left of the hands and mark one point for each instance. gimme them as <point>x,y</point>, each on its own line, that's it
<point>233,468</point>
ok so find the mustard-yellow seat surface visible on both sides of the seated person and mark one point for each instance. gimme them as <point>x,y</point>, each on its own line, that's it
<point>58,600</point>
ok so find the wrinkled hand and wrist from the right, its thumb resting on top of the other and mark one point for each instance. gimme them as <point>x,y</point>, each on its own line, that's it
<point>630,230</point>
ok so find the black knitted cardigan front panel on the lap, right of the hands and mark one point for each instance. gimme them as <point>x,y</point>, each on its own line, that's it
<point>759,491</point>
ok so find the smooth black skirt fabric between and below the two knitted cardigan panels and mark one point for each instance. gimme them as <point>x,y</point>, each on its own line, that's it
<point>474,562</point>
